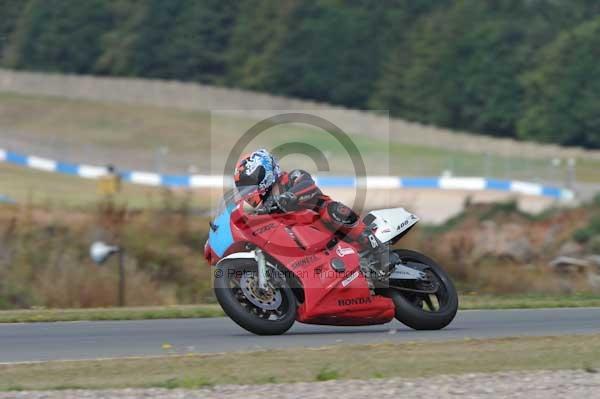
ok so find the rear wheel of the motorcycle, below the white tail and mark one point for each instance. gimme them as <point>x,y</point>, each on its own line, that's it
<point>424,305</point>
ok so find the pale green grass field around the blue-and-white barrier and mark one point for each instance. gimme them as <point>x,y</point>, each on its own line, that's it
<point>129,135</point>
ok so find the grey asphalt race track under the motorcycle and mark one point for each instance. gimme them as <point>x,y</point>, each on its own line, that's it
<point>103,339</point>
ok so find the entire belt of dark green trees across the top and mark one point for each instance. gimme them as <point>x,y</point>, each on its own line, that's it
<point>510,68</point>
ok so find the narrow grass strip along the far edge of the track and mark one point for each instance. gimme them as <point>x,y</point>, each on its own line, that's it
<point>467,302</point>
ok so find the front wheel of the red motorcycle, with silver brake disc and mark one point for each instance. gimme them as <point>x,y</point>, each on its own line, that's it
<point>264,312</point>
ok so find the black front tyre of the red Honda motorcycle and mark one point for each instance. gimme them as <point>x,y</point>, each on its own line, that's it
<point>241,310</point>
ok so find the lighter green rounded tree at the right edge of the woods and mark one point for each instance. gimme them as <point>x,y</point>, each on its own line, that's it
<point>562,102</point>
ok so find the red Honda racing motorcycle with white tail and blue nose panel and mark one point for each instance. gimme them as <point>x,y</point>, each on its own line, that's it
<point>273,268</point>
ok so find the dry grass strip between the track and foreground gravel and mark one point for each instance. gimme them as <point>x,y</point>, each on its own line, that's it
<point>294,365</point>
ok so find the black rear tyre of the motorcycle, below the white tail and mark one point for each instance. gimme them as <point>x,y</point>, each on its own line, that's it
<point>407,311</point>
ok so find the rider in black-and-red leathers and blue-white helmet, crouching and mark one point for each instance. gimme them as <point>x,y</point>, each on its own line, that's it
<point>262,184</point>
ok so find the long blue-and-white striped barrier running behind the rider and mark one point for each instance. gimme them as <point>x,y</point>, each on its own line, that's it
<point>372,182</point>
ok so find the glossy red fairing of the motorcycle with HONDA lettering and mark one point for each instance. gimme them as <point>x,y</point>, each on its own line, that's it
<point>299,241</point>
